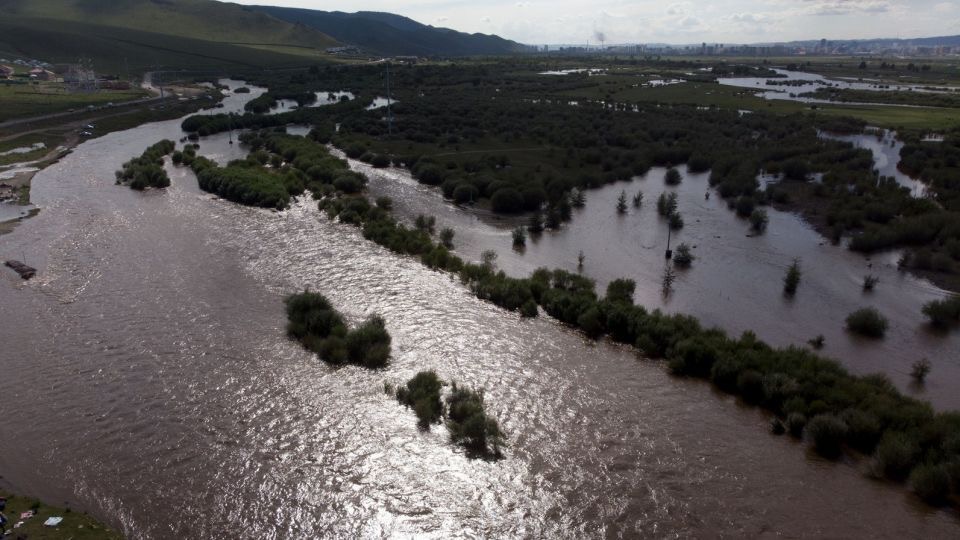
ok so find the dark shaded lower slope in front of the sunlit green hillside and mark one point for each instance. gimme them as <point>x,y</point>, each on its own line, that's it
<point>114,49</point>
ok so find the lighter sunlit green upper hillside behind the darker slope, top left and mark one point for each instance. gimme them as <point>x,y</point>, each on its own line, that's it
<point>205,20</point>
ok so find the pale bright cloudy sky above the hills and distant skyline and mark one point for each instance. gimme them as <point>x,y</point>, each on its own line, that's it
<point>539,22</point>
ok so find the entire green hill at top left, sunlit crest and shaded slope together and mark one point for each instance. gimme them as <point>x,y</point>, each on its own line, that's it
<point>144,33</point>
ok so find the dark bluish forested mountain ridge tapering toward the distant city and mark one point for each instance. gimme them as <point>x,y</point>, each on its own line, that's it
<point>386,33</point>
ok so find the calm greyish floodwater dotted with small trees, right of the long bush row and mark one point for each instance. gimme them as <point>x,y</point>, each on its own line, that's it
<point>735,283</point>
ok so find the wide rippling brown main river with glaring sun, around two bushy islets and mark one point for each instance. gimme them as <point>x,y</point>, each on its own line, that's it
<point>148,379</point>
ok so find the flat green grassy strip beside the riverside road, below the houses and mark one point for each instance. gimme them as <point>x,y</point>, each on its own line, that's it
<point>19,101</point>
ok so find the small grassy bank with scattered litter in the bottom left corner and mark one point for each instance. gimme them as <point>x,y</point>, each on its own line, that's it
<point>75,525</point>
